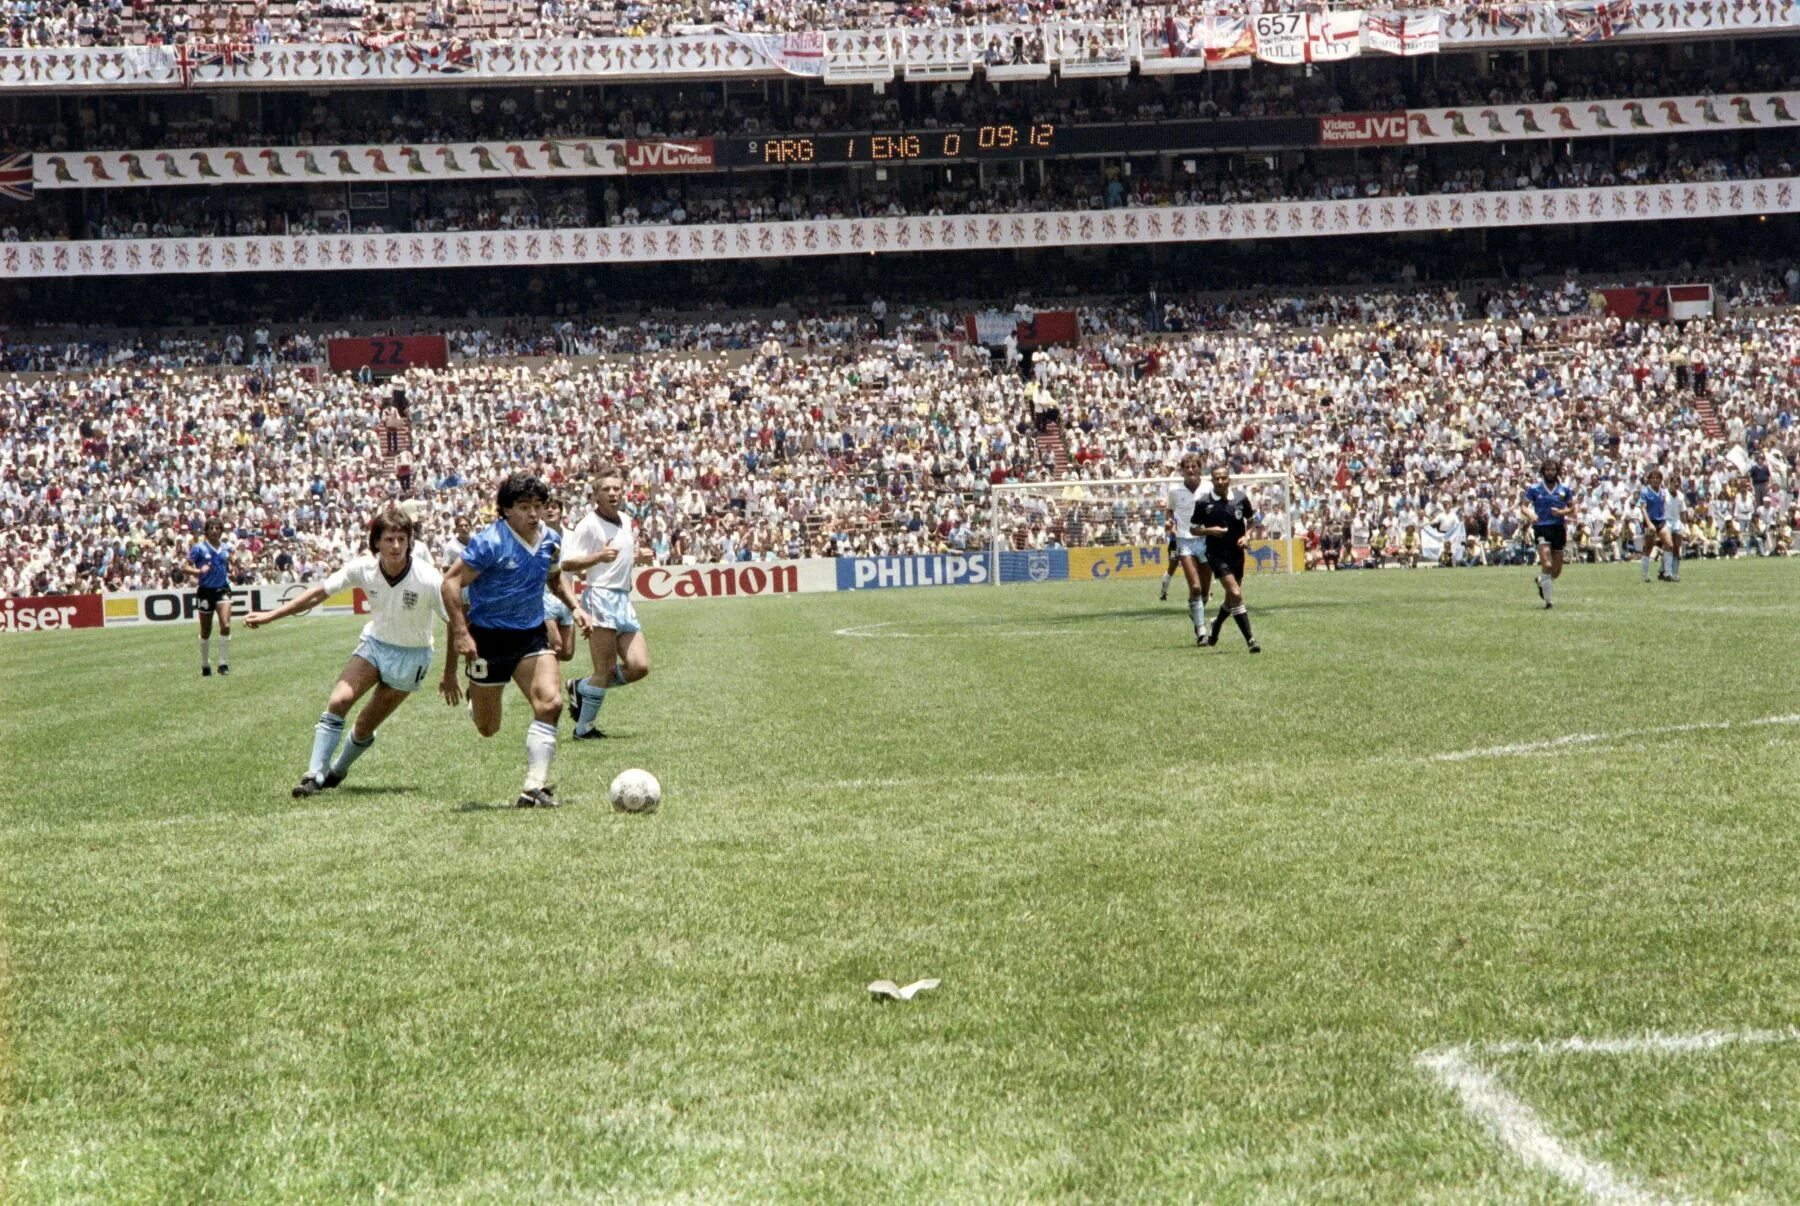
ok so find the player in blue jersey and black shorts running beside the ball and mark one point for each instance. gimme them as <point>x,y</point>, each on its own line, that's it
<point>501,631</point>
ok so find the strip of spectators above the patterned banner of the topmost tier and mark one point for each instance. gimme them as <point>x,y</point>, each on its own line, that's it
<point>377,22</point>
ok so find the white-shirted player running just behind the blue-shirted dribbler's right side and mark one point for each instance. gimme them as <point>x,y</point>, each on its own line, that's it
<point>604,550</point>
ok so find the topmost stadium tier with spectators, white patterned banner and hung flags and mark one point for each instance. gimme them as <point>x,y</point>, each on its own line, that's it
<point>87,44</point>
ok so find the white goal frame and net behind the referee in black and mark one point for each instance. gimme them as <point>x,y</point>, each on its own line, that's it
<point>1129,516</point>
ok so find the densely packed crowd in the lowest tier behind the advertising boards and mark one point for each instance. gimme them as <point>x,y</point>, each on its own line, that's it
<point>892,445</point>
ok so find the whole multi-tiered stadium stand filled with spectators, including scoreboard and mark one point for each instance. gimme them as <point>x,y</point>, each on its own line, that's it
<point>1403,377</point>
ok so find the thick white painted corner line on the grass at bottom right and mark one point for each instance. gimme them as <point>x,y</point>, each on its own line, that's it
<point>1522,1133</point>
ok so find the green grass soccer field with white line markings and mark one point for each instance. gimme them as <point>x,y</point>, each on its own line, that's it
<point>1304,926</point>
